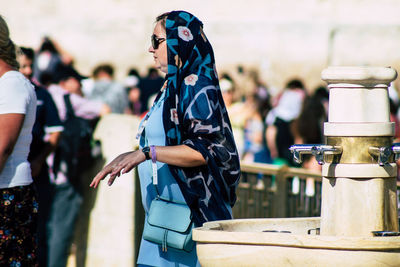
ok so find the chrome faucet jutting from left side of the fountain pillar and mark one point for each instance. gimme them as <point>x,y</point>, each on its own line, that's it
<point>315,149</point>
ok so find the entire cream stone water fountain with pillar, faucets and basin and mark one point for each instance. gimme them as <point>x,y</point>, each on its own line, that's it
<point>359,221</point>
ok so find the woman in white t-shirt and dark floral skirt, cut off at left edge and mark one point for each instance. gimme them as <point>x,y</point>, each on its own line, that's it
<point>18,206</point>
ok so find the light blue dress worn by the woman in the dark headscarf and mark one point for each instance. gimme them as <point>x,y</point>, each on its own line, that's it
<point>150,253</point>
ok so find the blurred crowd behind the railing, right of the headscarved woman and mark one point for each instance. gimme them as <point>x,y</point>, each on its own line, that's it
<point>267,125</point>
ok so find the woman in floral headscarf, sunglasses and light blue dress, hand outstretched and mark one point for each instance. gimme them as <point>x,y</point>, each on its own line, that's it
<point>189,127</point>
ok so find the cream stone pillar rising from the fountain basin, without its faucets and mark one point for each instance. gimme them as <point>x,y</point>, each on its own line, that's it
<point>358,195</point>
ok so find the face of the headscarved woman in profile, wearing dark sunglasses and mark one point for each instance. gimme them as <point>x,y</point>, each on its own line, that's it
<point>160,54</point>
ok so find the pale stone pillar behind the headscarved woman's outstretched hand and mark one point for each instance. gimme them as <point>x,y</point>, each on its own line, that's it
<point>117,216</point>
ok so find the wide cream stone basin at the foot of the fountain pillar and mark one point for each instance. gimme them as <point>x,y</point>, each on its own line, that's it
<point>244,242</point>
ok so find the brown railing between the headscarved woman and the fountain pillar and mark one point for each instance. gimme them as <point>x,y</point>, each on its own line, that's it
<point>271,191</point>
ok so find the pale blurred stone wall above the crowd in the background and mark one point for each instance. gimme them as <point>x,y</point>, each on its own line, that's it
<point>284,38</point>
